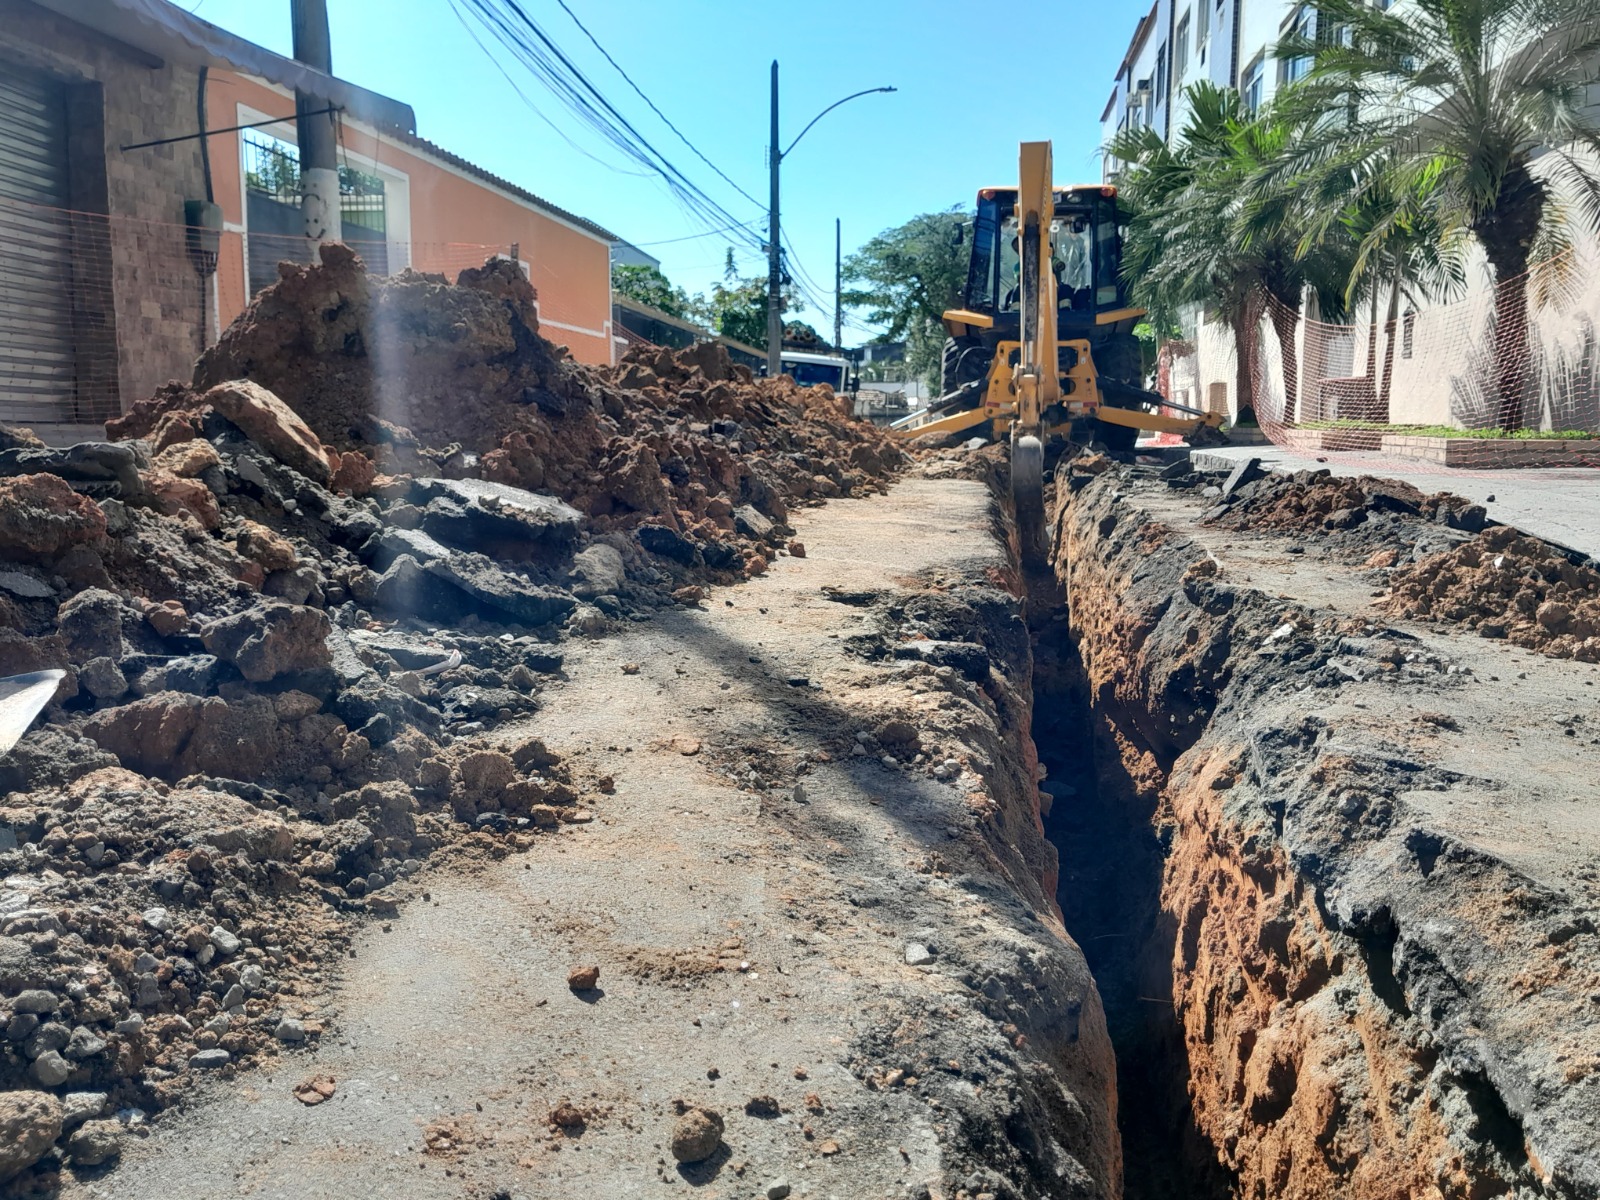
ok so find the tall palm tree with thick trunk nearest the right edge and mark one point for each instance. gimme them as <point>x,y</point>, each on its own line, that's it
<point>1446,105</point>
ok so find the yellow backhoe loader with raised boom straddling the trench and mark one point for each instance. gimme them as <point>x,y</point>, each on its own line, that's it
<point>1044,340</point>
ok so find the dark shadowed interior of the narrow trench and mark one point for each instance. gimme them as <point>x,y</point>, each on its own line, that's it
<point>1110,897</point>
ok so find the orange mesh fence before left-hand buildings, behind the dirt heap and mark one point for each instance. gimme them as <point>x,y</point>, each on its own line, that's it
<point>100,311</point>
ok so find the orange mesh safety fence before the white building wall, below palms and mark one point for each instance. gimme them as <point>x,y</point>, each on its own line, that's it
<point>1508,377</point>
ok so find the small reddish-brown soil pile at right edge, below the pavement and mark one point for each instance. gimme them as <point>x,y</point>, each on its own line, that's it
<point>1506,585</point>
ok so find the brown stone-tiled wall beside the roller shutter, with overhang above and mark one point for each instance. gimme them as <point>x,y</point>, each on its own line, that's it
<point>148,302</point>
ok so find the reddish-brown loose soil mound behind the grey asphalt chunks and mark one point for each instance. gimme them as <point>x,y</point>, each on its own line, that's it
<point>431,378</point>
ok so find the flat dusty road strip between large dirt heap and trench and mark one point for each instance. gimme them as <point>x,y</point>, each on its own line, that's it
<point>751,940</point>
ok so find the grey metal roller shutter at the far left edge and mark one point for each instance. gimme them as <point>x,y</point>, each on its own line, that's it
<point>38,361</point>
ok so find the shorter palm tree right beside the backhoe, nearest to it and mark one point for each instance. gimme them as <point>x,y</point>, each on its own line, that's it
<point>1202,234</point>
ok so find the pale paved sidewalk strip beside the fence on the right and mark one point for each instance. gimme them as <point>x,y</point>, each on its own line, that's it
<point>1561,506</point>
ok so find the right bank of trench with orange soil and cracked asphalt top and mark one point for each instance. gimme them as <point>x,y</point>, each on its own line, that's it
<point>1369,946</point>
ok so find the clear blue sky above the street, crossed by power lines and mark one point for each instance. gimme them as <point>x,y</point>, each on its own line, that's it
<point>876,162</point>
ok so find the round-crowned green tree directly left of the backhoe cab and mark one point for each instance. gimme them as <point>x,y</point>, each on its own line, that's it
<point>906,279</point>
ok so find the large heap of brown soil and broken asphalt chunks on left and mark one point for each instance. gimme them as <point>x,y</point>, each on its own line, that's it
<point>292,628</point>
